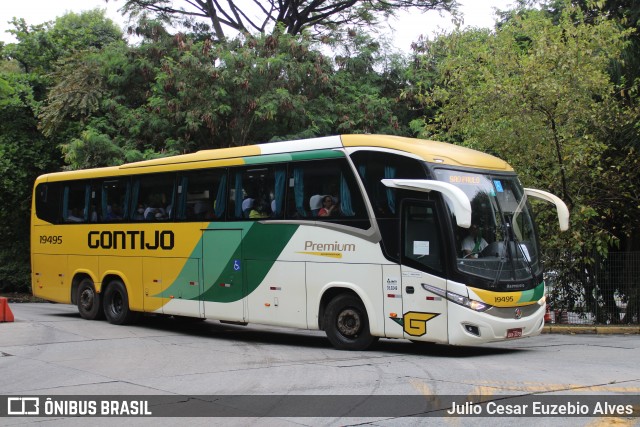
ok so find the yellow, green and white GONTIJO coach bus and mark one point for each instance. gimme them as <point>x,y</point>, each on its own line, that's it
<point>360,236</point>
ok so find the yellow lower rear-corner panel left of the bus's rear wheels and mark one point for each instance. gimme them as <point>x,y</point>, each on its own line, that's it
<point>49,279</point>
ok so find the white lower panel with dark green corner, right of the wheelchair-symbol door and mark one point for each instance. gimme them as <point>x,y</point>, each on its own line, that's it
<point>281,298</point>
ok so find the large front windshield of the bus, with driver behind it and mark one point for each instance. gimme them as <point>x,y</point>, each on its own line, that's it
<point>501,244</point>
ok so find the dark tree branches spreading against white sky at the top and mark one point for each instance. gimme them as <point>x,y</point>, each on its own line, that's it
<point>293,15</point>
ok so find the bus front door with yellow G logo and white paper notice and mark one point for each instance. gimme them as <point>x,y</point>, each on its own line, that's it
<point>424,313</point>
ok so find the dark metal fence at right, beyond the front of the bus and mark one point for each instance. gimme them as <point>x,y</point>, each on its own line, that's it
<point>587,289</point>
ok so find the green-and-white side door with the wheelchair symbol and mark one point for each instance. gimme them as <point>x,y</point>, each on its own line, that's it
<point>223,275</point>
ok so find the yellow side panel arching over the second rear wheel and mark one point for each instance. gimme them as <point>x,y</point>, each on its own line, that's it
<point>129,269</point>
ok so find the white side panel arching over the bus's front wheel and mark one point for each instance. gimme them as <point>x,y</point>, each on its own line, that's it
<point>363,279</point>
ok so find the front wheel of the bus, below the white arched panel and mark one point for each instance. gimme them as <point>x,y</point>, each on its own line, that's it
<point>347,325</point>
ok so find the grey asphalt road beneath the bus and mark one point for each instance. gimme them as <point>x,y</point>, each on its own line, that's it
<point>49,350</point>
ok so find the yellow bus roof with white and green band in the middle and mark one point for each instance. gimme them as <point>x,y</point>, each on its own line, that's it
<point>430,151</point>
